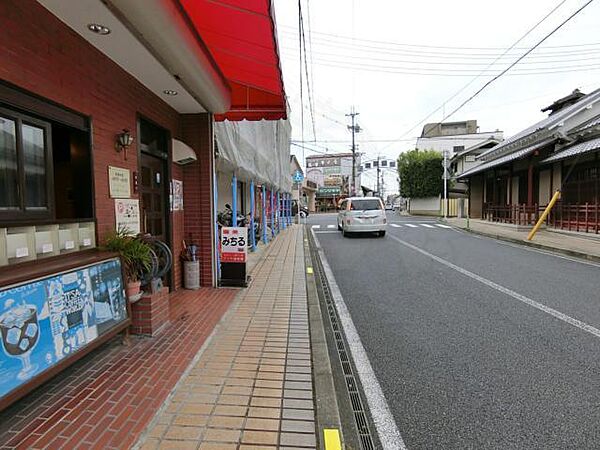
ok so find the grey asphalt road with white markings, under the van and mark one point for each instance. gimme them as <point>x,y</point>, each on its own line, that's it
<point>475,343</point>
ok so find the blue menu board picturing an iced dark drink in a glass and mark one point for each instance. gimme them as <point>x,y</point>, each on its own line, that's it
<point>44,321</point>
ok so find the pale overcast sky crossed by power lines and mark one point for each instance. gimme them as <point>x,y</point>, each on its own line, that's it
<point>397,61</point>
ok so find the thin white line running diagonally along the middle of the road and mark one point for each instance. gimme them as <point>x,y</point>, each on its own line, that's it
<point>553,312</point>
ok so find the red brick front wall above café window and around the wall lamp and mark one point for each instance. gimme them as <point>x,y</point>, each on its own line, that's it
<point>42,55</point>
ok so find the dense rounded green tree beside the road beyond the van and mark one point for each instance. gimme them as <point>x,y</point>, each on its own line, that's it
<point>420,173</point>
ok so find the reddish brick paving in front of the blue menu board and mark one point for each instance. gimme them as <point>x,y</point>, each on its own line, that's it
<point>108,398</point>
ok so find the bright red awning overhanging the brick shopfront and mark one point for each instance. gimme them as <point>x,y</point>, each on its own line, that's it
<point>240,35</point>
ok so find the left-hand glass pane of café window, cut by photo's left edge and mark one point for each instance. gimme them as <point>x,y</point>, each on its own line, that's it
<point>9,171</point>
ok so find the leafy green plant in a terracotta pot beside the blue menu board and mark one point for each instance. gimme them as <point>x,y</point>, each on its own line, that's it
<point>135,256</point>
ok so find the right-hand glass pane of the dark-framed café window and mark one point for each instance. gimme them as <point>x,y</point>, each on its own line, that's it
<point>34,167</point>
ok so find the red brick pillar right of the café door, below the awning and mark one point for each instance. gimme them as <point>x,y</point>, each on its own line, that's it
<point>196,131</point>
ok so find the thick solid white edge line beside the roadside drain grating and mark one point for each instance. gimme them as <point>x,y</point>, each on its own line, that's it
<point>389,435</point>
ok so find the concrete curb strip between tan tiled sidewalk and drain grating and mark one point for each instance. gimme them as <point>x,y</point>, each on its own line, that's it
<point>327,409</point>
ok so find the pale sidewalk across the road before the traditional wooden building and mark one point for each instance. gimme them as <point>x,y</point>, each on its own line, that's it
<point>570,244</point>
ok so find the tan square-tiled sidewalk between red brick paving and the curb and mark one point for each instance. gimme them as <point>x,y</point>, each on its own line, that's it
<point>252,386</point>
